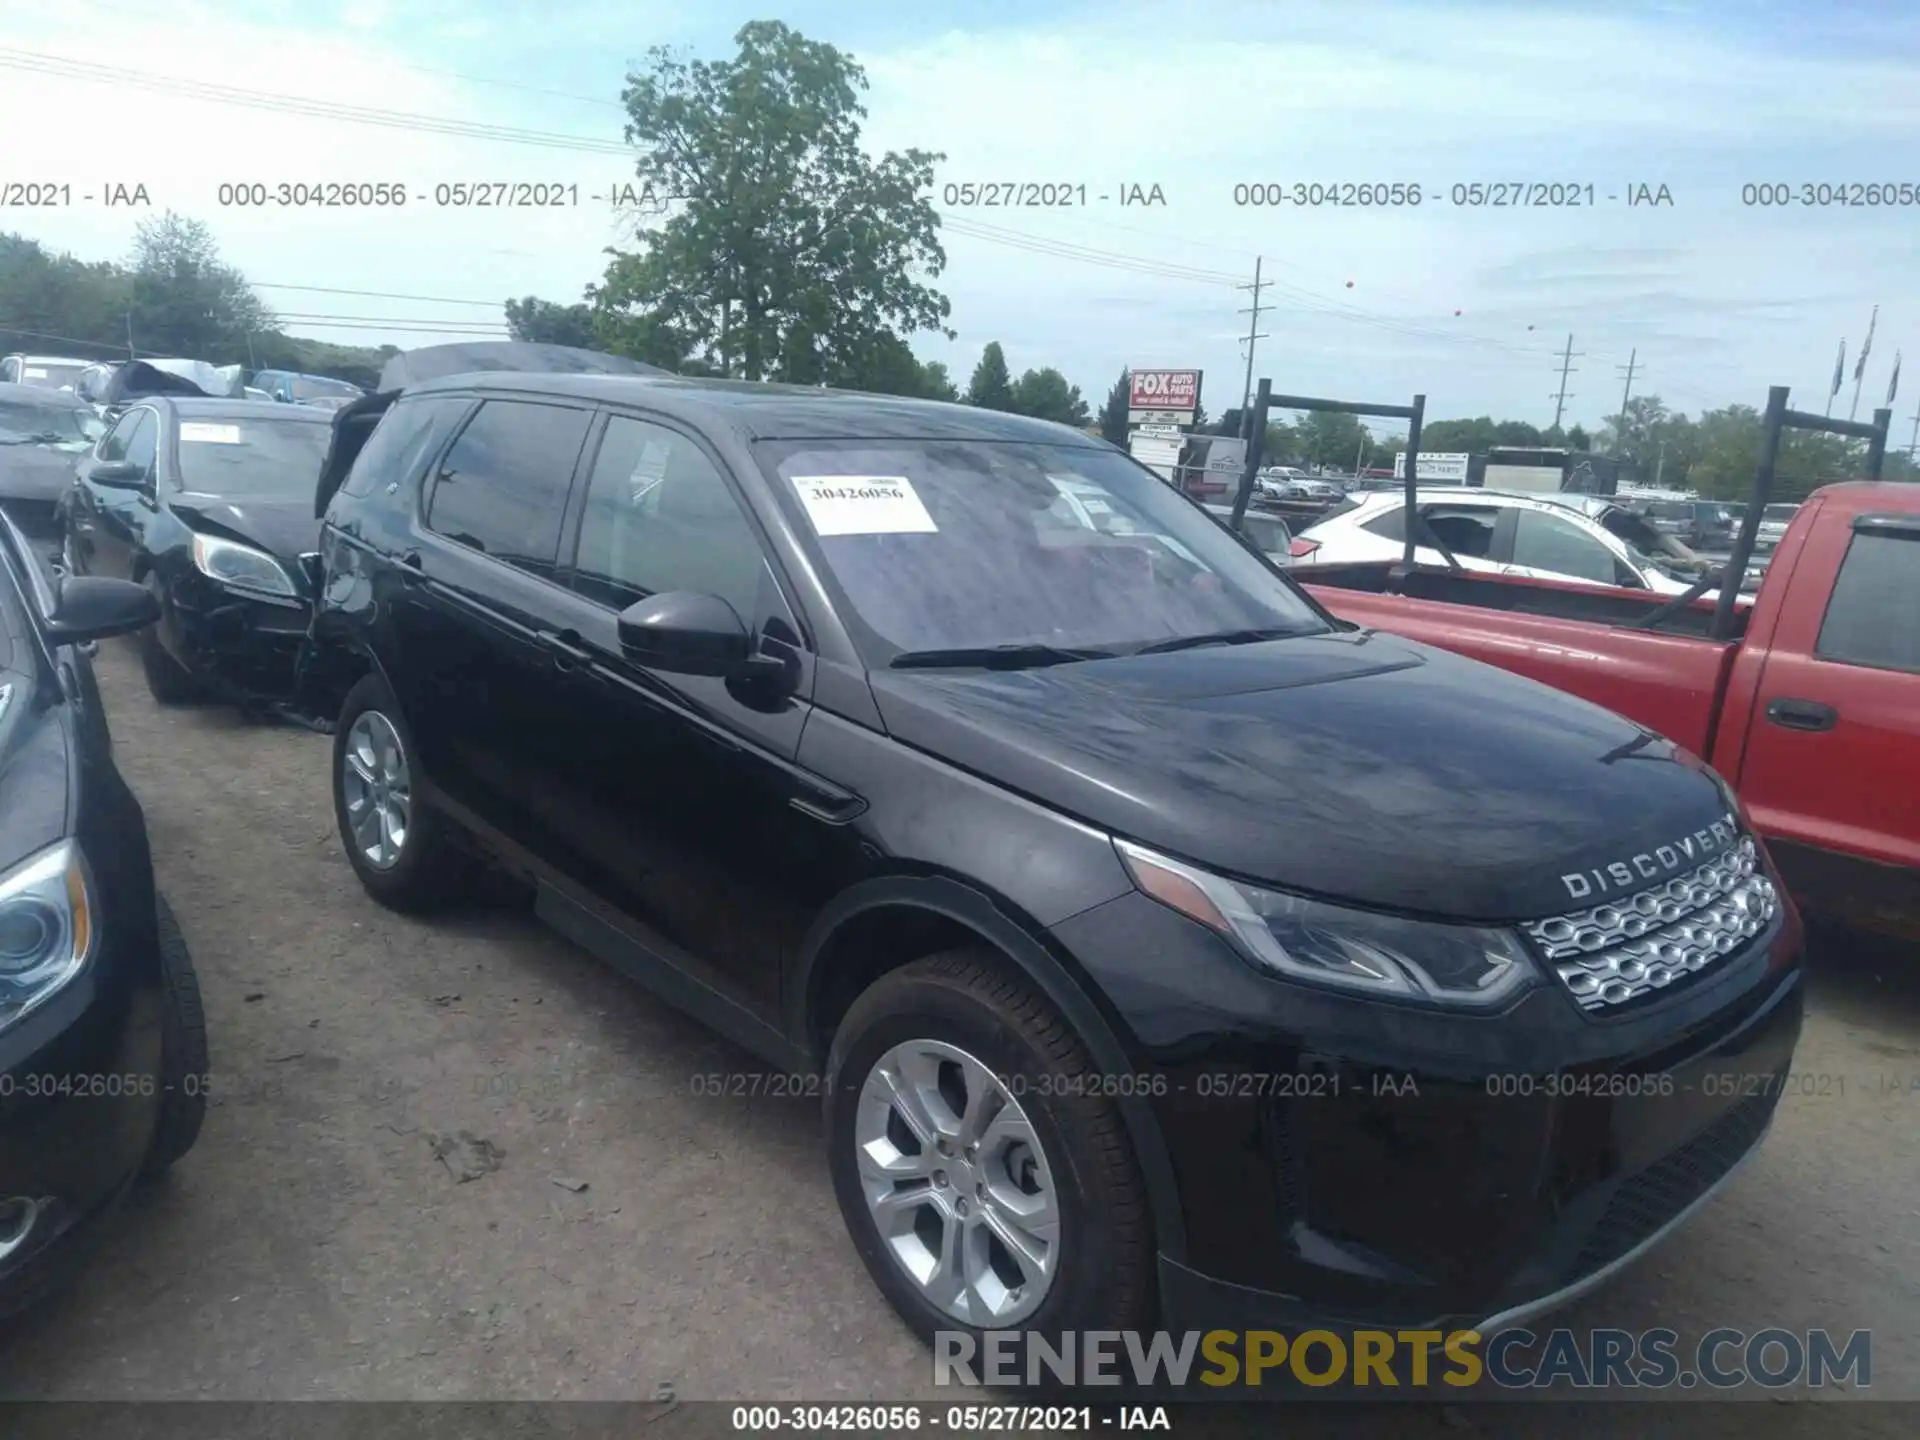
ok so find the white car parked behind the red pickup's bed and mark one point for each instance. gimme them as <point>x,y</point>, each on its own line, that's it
<point>1547,537</point>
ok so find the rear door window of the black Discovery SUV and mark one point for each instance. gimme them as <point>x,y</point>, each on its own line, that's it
<point>504,485</point>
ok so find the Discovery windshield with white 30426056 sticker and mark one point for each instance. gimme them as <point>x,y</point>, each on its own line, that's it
<point>1057,552</point>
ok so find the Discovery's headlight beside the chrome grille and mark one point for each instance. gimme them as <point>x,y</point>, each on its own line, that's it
<point>1339,948</point>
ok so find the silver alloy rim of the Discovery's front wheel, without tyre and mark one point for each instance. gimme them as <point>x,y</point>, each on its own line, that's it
<point>959,1186</point>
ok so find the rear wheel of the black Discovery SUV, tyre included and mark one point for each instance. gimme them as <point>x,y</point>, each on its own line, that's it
<point>404,853</point>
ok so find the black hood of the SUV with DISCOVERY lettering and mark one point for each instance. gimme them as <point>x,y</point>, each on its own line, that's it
<point>1355,767</point>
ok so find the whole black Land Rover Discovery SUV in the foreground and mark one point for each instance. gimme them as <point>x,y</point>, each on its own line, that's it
<point>1161,944</point>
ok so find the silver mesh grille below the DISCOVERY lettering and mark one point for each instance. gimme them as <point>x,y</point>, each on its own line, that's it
<point>1641,944</point>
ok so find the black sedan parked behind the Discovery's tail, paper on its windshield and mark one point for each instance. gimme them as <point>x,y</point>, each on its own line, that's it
<point>210,506</point>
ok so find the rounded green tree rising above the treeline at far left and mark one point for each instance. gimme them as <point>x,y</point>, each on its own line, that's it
<point>185,300</point>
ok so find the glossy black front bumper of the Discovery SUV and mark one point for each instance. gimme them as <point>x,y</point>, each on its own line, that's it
<point>1345,1163</point>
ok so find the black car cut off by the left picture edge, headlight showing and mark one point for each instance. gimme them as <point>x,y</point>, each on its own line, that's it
<point>103,1044</point>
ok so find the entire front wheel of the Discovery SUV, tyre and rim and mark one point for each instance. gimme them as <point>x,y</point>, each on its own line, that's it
<point>986,1189</point>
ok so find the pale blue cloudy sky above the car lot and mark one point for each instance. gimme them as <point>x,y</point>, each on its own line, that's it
<point>1714,300</point>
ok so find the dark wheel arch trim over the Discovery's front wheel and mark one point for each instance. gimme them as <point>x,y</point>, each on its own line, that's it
<point>938,913</point>
